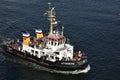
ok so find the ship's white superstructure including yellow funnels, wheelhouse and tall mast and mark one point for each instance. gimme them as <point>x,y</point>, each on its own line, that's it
<point>53,46</point>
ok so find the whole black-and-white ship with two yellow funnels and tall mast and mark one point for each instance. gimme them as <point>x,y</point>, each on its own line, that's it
<point>49,51</point>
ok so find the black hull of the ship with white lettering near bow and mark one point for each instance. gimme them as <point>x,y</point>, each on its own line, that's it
<point>68,67</point>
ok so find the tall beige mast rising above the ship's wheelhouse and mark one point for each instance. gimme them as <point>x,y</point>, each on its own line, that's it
<point>51,17</point>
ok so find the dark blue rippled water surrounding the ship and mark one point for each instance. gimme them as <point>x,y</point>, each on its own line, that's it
<point>92,26</point>
